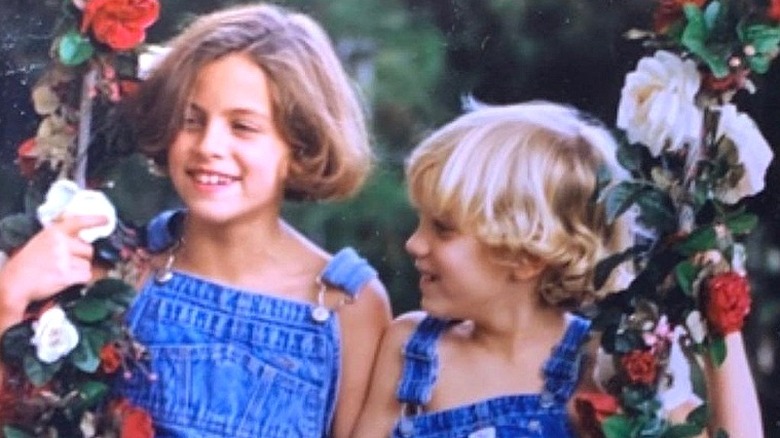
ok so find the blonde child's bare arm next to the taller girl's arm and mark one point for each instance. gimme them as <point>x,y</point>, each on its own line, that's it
<point>382,409</point>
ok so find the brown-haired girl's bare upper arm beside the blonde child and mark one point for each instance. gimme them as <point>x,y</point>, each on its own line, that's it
<point>362,325</point>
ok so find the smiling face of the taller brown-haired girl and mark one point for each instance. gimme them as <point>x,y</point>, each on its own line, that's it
<point>228,161</point>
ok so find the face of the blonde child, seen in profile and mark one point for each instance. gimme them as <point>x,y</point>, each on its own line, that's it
<point>458,278</point>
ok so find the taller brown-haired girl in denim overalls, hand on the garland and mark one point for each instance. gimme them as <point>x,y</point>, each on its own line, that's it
<point>252,329</point>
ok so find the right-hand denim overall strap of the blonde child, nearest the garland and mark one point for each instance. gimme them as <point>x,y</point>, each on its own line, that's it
<point>562,370</point>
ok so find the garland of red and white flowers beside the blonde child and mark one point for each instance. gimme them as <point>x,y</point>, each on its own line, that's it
<point>693,156</point>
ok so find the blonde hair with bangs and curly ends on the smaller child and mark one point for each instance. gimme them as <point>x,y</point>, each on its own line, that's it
<point>523,179</point>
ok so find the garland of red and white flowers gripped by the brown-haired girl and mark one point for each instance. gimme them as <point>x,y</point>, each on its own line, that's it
<point>58,364</point>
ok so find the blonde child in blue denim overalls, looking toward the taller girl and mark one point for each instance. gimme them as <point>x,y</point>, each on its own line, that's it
<point>507,241</point>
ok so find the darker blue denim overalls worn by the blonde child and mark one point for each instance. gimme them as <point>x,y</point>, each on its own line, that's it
<point>512,416</point>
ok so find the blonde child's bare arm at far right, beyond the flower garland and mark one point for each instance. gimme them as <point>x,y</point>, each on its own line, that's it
<point>732,393</point>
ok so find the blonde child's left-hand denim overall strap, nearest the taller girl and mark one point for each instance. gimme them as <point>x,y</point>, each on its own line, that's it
<point>421,362</point>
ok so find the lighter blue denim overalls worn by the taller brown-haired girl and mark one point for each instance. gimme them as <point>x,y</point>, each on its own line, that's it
<point>231,363</point>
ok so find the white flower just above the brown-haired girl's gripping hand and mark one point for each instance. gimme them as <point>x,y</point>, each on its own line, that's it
<point>65,197</point>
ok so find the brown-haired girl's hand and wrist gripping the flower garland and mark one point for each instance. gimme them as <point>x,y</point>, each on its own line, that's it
<point>51,261</point>
